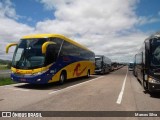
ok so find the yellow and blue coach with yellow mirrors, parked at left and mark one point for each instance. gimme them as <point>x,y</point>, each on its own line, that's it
<point>46,58</point>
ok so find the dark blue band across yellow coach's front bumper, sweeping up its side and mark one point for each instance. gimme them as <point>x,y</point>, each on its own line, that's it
<point>45,77</point>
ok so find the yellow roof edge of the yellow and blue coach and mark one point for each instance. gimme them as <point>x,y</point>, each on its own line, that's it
<point>55,35</point>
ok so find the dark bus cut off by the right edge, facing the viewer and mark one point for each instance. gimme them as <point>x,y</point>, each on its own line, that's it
<point>147,63</point>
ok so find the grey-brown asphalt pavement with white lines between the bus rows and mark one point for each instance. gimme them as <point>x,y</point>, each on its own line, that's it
<point>116,91</point>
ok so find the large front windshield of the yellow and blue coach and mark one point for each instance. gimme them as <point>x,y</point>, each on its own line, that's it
<point>28,54</point>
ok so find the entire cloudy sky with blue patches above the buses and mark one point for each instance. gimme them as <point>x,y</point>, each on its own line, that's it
<point>114,28</point>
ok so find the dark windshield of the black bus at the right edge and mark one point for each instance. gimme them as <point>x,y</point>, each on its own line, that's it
<point>155,54</point>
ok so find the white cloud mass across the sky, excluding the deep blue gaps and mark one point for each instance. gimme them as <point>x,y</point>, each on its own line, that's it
<point>97,24</point>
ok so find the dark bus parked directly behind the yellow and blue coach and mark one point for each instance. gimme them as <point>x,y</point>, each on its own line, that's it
<point>103,64</point>
